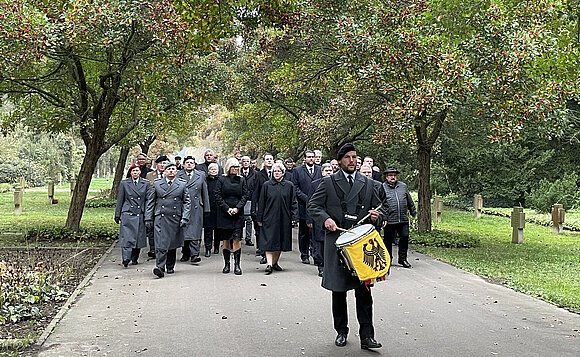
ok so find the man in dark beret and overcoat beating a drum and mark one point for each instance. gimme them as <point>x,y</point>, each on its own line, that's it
<point>341,200</point>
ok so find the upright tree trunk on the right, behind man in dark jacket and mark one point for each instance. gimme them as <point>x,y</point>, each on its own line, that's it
<point>424,202</point>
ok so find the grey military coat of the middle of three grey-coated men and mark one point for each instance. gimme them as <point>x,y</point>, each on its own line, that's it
<point>169,205</point>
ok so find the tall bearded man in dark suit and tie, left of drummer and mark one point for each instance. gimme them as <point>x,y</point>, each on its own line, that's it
<point>302,179</point>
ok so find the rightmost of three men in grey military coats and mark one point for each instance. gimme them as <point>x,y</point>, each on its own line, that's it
<point>197,187</point>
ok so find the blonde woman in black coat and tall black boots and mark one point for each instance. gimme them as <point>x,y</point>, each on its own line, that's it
<point>231,194</point>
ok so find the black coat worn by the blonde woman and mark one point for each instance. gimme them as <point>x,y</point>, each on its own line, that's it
<point>231,192</point>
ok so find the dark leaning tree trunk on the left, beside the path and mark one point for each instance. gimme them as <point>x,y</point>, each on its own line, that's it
<point>77,204</point>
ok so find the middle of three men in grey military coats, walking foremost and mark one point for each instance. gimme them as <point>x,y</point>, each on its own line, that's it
<point>169,203</point>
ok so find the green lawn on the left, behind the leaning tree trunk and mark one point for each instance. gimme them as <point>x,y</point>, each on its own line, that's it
<point>38,212</point>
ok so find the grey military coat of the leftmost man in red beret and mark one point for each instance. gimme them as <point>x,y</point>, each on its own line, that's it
<point>130,209</point>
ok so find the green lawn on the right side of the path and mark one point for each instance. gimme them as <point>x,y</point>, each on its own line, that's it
<point>546,265</point>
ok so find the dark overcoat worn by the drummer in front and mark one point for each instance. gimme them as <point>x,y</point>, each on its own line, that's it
<point>325,203</point>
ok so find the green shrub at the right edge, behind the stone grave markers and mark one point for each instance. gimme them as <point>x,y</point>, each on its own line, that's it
<point>564,191</point>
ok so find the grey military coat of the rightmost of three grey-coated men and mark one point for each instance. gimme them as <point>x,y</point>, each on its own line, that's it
<point>197,187</point>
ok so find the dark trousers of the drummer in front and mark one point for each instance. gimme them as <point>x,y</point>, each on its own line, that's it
<point>364,311</point>
